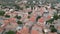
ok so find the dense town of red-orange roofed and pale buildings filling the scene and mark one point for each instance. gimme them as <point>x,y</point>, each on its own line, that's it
<point>30,25</point>
